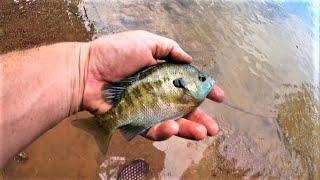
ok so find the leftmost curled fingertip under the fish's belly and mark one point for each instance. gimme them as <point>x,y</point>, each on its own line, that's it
<point>163,131</point>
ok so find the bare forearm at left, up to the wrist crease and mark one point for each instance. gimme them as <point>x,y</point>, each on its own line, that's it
<point>38,88</point>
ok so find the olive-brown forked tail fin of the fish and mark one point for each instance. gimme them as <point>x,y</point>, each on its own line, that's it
<point>91,126</point>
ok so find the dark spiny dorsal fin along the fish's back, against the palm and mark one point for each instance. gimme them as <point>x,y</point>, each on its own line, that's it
<point>112,92</point>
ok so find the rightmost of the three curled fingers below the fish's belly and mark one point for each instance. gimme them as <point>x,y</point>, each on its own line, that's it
<point>201,117</point>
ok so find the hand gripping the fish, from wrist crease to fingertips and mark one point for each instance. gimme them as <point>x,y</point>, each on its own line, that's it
<point>117,56</point>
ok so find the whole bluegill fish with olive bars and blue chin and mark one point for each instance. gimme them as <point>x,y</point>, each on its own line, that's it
<point>158,93</point>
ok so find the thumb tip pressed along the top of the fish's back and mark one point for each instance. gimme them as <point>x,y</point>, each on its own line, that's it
<point>168,49</point>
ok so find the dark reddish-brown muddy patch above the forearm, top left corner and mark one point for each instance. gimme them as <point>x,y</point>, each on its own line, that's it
<point>25,24</point>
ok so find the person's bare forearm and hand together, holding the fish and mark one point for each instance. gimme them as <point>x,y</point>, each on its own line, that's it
<point>41,86</point>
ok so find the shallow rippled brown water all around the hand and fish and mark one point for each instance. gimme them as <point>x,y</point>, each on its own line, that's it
<point>263,54</point>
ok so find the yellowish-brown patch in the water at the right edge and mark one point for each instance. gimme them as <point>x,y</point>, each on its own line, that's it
<point>299,120</point>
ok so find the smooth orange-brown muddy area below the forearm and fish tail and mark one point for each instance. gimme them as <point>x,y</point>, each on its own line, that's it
<point>67,152</point>
